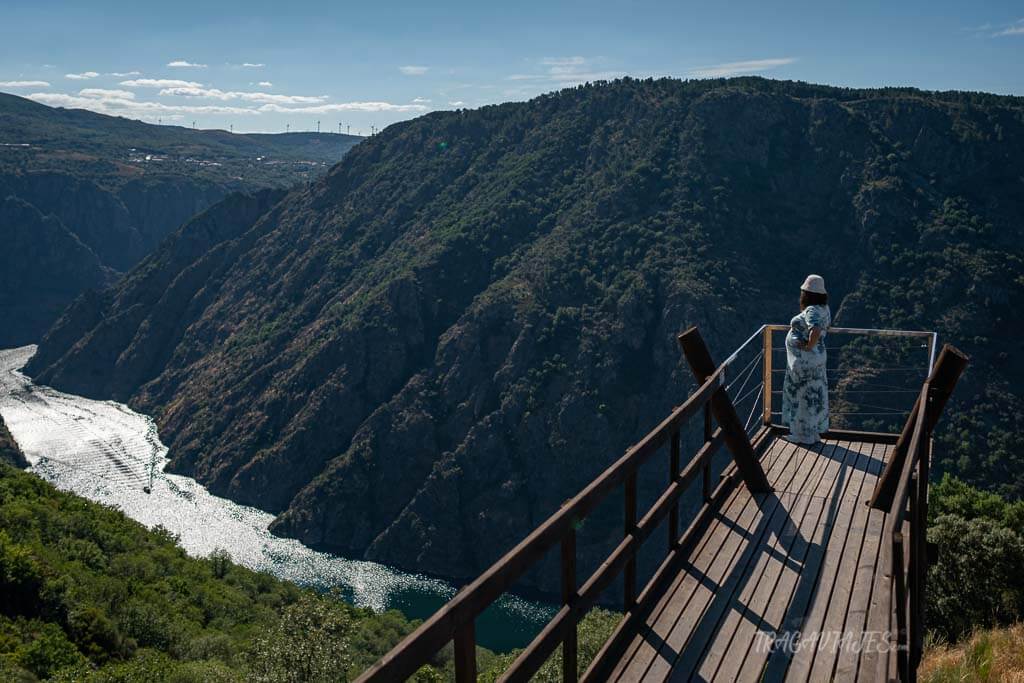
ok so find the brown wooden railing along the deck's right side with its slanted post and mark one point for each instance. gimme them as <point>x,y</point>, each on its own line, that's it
<point>903,494</point>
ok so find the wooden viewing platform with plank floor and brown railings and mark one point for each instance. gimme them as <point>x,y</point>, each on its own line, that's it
<point>803,564</point>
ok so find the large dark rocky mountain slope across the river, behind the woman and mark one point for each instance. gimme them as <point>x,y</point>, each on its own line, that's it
<point>419,357</point>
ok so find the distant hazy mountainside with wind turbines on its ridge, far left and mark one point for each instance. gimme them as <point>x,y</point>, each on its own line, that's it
<point>118,188</point>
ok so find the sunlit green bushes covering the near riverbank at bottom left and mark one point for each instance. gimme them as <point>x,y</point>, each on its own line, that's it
<point>90,595</point>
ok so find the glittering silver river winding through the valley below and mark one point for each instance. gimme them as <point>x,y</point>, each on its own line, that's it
<point>106,452</point>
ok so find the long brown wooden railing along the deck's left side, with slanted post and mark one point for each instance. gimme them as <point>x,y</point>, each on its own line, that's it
<point>456,620</point>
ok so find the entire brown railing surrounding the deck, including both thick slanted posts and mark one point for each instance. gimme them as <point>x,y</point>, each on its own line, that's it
<point>902,493</point>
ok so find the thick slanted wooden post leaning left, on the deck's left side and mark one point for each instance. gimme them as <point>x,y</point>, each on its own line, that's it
<point>733,429</point>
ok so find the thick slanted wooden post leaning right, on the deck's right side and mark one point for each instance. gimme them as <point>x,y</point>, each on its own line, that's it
<point>944,379</point>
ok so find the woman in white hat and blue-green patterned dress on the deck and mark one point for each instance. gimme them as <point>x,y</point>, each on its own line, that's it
<point>805,395</point>
